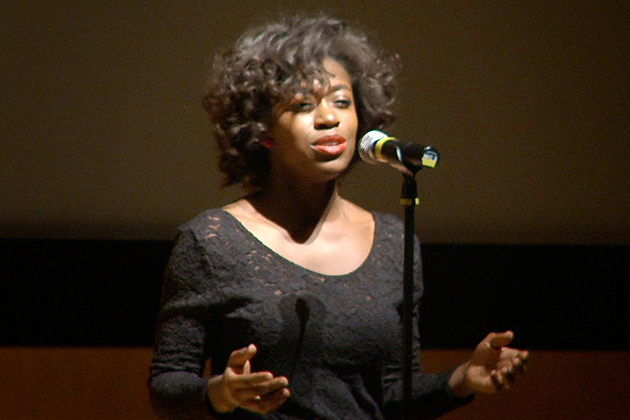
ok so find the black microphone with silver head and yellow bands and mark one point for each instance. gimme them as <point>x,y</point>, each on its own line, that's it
<point>377,146</point>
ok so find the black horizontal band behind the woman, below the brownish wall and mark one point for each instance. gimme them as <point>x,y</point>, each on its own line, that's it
<point>106,293</point>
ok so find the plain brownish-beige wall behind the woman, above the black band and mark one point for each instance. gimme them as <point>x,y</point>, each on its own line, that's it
<point>102,135</point>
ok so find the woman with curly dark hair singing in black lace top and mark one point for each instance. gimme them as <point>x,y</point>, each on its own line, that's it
<point>291,295</point>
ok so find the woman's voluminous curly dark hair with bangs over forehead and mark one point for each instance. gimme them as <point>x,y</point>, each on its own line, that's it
<point>269,65</point>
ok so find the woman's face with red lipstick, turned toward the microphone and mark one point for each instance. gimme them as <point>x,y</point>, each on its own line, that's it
<point>315,134</point>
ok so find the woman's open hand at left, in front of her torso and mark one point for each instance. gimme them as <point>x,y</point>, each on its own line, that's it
<point>260,392</point>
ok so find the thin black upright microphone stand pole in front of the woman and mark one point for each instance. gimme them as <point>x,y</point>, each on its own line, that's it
<point>409,199</point>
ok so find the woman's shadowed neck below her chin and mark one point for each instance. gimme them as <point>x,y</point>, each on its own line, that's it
<point>299,209</point>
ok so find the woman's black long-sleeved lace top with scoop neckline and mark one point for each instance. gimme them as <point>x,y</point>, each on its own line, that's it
<point>337,338</point>
